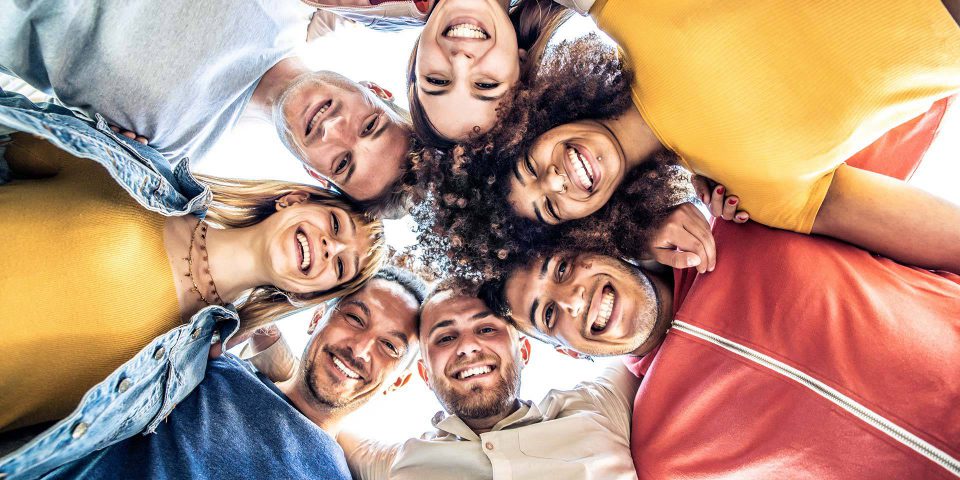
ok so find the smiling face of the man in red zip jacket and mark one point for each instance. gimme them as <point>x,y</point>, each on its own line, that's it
<point>594,304</point>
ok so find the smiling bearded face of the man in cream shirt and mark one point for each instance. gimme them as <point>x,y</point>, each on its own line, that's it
<point>471,358</point>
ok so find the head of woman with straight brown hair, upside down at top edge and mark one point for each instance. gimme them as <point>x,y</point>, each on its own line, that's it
<point>468,56</point>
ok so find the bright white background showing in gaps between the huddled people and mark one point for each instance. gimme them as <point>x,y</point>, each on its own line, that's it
<point>252,150</point>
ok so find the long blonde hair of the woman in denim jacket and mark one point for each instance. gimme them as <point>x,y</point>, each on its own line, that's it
<point>242,203</point>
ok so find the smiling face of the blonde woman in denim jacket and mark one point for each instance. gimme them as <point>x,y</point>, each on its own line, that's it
<point>313,247</point>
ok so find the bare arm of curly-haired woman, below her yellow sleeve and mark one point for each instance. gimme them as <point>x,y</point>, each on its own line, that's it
<point>891,218</point>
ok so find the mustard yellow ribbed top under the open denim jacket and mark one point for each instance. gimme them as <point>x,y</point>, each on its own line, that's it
<point>85,282</point>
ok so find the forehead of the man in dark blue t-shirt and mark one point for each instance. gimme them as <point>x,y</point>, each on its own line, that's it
<point>390,305</point>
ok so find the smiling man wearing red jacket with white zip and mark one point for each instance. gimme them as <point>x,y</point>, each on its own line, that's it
<point>797,354</point>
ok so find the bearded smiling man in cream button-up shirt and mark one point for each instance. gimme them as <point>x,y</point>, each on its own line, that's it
<point>472,360</point>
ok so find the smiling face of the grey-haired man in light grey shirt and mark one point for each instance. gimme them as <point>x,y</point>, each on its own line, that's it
<point>342,133</point>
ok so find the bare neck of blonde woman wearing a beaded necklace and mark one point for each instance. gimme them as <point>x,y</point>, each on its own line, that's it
<point>235,263</point>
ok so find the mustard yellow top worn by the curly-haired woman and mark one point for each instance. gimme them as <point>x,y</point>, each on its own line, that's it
<point>770,97</point>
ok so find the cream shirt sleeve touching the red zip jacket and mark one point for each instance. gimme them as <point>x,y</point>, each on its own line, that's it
<point>612,394</point>
